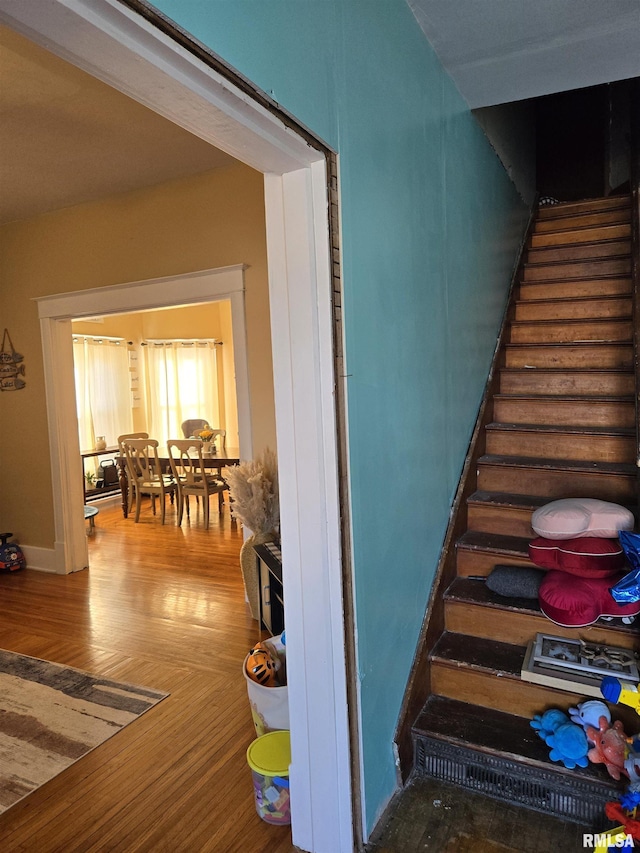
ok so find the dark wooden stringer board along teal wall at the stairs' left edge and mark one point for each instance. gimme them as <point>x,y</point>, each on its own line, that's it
<point>419,682</point>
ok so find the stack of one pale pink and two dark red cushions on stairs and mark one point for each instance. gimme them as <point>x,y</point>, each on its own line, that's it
<point>578,544</point>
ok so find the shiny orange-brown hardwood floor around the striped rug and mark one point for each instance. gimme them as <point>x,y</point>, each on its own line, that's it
<point>161,607</point>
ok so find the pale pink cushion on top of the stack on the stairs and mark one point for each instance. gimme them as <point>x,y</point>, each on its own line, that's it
<point>570,518</point>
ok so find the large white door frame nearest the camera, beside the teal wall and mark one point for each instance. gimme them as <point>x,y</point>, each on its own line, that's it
<point>124,50</point>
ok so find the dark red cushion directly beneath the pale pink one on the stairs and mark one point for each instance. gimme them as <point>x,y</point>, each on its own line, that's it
<point>589,558</point>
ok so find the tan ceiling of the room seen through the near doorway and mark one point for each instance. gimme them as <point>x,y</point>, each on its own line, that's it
<point>67,138</point>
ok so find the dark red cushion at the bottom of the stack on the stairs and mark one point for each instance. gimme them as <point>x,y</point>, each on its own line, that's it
<point>576,602</point>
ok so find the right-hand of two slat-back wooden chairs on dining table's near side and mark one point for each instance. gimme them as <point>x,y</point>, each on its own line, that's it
<point>191,476</point>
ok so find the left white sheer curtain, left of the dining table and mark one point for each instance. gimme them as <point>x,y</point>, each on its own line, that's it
<point>103,393</point>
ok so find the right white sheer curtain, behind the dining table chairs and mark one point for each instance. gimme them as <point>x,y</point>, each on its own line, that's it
<point>182,383</point>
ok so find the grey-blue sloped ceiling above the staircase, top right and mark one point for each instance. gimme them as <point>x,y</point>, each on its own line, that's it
<point>498,51</point>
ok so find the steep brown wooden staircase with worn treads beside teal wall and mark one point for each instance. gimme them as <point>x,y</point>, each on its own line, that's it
<point>562,423</point>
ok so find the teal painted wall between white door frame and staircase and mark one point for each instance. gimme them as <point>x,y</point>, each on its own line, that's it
<point>431,225</point>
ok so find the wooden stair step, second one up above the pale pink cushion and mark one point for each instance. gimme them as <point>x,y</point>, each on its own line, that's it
<point>598,444</point>
